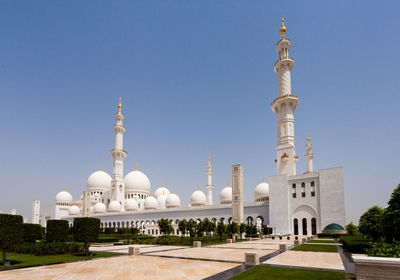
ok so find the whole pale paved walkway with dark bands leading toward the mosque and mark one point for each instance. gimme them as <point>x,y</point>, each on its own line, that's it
<point>179,262</point>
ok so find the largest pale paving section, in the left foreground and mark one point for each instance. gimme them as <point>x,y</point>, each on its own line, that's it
<point>121,268</point>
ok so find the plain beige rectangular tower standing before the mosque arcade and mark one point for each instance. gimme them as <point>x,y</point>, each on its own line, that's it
<point>237,194</point>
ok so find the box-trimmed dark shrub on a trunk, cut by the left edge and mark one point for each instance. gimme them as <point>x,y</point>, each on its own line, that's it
<point>11,232</point>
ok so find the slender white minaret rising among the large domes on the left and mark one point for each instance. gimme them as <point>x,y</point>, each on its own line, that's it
<point>118,153</point>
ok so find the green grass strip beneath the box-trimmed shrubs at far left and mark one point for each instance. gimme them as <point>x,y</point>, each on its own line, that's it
<point>23,260</point>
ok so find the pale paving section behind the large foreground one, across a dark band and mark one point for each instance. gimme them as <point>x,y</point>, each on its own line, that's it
<point>208,253</point>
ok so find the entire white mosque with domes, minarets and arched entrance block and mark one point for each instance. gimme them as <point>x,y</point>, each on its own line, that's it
<point>290,203</point>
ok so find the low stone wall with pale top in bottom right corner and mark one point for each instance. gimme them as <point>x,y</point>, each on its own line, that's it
<point>372,268</point>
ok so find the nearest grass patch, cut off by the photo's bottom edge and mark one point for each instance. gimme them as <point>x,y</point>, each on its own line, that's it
<point>280,273</point>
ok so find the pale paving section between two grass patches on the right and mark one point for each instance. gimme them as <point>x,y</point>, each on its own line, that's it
<point>308,259</point>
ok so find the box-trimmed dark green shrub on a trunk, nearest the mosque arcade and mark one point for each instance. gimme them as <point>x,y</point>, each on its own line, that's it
<point>86,230</point>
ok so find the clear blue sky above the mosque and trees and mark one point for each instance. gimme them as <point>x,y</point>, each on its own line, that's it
<point>196,77</point>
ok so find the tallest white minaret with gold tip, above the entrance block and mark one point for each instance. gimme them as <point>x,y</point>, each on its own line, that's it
<point>283,106</point>
